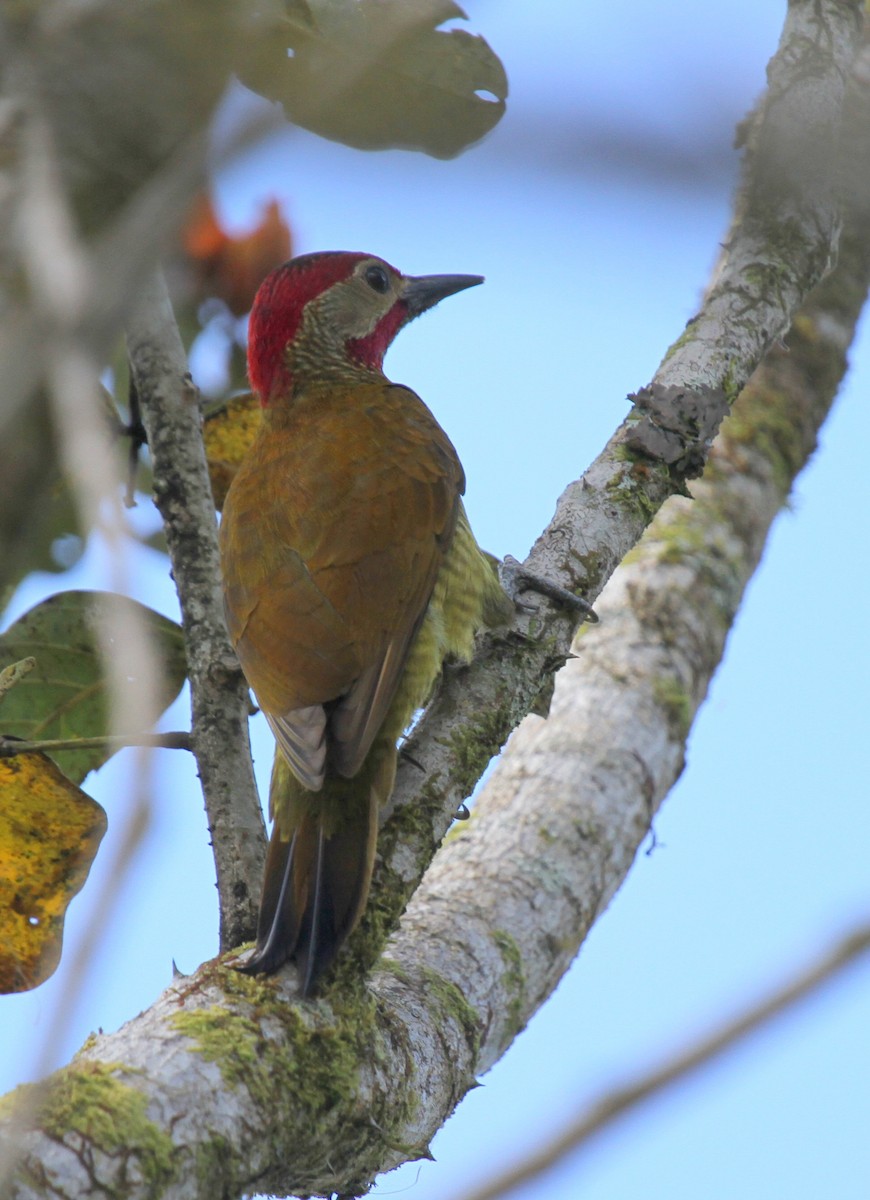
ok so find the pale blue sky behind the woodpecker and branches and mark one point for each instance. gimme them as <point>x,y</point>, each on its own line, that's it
<point>596,212</point>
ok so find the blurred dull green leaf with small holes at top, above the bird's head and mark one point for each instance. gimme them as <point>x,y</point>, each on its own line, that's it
<point>380,74</point>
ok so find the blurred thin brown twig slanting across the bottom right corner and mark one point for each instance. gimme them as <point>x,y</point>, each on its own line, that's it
<point>617,1103</point>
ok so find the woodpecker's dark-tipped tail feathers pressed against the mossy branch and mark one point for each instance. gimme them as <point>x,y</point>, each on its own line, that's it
<point>320,866</point>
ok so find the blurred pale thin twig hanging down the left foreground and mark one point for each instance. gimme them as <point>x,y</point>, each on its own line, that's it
<point>61,284</point>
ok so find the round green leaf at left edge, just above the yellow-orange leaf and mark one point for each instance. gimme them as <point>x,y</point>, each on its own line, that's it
<point>65,695</point>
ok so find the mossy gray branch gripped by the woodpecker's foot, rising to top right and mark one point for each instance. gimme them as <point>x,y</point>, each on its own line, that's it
<point>783,239</point>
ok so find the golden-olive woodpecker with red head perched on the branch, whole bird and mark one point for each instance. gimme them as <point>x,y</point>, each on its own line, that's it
<point>350,573</point>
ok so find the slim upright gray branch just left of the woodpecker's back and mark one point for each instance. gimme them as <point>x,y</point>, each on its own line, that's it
<point>219,692</point>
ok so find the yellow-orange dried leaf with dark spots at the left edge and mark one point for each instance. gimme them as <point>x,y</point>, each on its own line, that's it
<point>50,833</point>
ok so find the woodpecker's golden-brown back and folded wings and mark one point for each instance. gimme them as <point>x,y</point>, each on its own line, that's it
<point>331,577</point>
